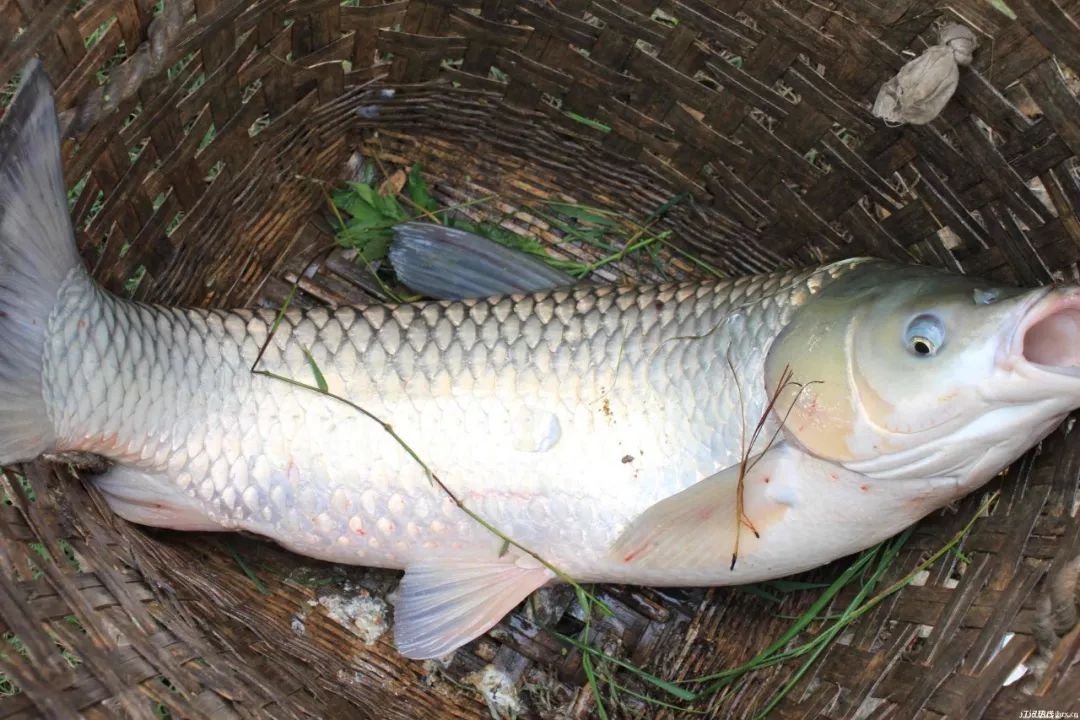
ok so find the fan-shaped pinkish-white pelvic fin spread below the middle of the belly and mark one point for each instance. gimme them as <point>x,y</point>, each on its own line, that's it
<point>445,604</point>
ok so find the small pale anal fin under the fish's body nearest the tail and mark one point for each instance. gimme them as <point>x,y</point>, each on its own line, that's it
<point>148,499</point>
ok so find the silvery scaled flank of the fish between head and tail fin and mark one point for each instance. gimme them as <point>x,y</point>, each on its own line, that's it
<point>559,417</point>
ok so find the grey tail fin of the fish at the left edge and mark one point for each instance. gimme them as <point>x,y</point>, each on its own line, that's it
<point>37,255</point>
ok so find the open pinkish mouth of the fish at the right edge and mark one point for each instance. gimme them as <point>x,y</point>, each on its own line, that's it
<point>1049,335</point>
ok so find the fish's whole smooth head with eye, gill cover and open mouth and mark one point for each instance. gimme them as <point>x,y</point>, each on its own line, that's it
<point>911,373</point>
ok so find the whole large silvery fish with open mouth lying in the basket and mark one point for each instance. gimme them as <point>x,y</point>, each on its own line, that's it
<point>681,434</point>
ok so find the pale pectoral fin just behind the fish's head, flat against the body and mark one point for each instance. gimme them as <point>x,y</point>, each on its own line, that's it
<point>700,524</point>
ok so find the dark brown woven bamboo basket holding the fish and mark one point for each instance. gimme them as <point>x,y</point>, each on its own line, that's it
<point>199,140</point>
